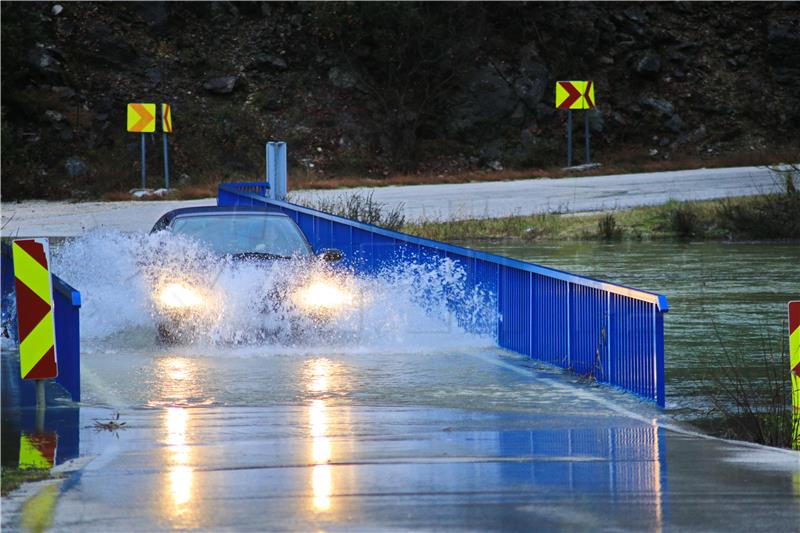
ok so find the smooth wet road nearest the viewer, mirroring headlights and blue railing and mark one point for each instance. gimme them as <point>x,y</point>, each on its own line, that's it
<point>328,466</point>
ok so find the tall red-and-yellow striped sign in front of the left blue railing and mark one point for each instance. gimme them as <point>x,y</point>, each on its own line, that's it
<point>35,317</point>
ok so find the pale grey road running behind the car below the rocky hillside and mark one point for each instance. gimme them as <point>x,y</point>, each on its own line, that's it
<point>445,202</point>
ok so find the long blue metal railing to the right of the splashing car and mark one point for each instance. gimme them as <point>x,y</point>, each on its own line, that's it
<point>611,332</point>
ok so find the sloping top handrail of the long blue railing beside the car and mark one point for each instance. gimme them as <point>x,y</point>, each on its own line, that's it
<point>658,299</point>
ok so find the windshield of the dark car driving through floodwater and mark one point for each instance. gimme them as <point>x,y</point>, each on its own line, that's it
<point>245,234</point>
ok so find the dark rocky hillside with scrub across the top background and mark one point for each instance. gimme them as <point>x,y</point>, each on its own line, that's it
<point>374,89</point>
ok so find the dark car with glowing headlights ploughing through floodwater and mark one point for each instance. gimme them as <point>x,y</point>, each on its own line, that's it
<point>186,299</point>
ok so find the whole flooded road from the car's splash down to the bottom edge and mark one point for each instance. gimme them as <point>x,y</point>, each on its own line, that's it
<point>469,440</point>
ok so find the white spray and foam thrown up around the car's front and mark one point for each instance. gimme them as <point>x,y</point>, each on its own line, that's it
<point>406,308</point>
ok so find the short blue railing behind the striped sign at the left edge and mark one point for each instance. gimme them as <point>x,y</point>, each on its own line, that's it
<point>67,304</point>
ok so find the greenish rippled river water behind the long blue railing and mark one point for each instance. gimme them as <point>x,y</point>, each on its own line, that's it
<point>722,296</point>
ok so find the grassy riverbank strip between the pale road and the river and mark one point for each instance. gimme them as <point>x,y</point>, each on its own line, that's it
<point>763,217</point>
